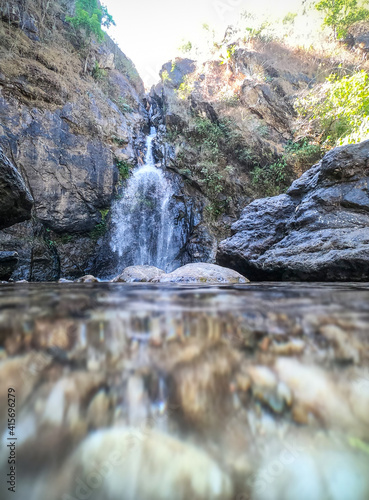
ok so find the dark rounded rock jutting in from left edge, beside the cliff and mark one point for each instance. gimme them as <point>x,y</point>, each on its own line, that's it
<point>15,199</point>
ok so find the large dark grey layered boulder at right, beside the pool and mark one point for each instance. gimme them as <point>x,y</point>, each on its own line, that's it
<point>318,231</point>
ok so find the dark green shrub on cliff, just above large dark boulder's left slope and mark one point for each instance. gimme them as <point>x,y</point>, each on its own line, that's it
<point>272,179</point>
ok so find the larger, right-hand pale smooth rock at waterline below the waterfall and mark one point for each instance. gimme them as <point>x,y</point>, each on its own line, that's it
<point>202,272</point>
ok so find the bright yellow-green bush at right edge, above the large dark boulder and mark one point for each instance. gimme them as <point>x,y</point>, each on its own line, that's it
<point>341,109</point>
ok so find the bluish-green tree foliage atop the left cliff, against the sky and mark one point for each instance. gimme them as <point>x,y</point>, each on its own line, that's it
<point>90,16</point>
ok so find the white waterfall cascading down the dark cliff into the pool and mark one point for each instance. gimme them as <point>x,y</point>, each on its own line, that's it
<point>143,225</point>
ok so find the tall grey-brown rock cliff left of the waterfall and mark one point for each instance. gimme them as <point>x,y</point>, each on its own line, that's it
<point>72,135</point>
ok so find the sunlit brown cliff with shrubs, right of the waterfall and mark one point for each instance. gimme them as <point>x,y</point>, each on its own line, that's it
<point>223,127</point>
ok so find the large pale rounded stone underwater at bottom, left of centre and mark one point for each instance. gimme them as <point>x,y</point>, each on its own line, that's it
<point>146,466</point>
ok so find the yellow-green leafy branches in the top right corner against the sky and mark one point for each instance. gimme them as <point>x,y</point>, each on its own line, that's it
<point>341,14</point>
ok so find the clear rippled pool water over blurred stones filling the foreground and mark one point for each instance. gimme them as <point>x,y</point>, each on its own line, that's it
<point>144,392</point>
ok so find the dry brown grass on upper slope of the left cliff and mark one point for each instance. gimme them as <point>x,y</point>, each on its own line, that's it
<point>48,75</point>
